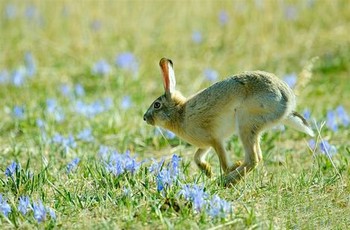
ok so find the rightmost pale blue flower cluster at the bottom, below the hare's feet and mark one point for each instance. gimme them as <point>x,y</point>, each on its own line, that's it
<point>218,208</point>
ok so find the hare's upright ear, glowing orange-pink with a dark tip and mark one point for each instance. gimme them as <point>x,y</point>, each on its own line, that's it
<point>166,66</point>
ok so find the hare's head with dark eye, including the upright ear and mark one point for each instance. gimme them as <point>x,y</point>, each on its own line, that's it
<point>164,111</point>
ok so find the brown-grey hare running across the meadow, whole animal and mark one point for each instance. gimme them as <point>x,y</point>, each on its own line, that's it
<point>246,104</point>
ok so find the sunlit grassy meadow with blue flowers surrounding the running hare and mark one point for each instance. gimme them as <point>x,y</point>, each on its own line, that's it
<point>77,76</point>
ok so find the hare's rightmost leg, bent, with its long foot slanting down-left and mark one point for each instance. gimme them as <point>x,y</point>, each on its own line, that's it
<point>249,136</point>
